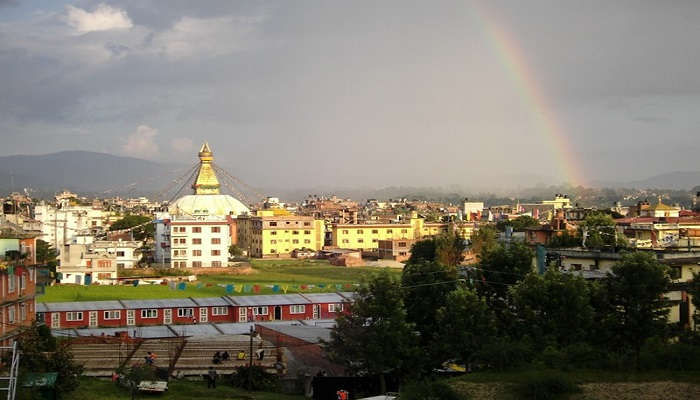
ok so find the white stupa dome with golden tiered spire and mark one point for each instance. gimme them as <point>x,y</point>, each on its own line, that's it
<point>207,200</point>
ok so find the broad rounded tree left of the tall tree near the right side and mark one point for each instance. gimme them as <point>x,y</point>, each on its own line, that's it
<point>553,309</point>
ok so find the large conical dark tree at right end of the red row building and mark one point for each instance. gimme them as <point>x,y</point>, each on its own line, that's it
<point>375,337</point>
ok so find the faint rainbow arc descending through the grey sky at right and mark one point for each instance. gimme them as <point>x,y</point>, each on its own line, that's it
<point>515,62</point>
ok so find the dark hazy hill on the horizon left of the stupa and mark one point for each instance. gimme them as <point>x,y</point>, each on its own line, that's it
<point>84,172</point>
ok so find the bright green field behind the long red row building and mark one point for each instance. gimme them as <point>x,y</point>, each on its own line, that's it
<point>285,273</point>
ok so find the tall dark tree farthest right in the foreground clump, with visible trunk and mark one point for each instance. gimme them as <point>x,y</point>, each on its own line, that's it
<point>635,289</point>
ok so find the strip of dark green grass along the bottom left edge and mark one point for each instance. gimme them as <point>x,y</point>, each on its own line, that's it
<point>91,388</point>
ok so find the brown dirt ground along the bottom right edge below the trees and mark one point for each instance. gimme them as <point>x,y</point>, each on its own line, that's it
<point>593,391</point>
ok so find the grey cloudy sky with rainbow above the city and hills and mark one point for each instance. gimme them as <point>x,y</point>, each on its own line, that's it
<point>360,93</point>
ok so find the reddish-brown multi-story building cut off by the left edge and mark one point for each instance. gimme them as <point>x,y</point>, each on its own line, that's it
<point>17,280</point>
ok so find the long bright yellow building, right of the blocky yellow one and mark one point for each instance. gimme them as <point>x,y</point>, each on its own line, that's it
<point>367,236</point>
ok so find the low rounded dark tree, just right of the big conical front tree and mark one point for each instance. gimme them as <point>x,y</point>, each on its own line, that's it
<point>466,324</point>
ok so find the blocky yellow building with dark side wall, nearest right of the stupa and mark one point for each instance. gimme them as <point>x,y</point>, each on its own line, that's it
<point>268,234</point>
